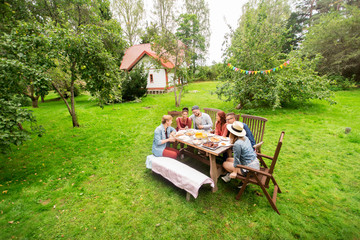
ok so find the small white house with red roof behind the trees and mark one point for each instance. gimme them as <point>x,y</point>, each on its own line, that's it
<point>160,79</point>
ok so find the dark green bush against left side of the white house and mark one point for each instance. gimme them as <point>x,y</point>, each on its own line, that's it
<point>134,84</point>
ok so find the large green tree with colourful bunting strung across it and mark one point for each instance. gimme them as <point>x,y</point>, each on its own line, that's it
<point>257,44</point>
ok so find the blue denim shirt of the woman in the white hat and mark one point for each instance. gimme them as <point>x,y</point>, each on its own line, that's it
<point>244,153</point>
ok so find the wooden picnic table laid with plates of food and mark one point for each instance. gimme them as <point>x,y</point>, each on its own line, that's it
<point>207,155</point>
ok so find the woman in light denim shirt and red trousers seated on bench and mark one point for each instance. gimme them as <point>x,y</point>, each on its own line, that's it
<point>162,136</point>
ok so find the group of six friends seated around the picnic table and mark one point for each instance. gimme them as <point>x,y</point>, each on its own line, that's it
<point>226,126</point>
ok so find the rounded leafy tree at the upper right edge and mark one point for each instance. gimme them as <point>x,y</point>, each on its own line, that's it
<point>335,36</point>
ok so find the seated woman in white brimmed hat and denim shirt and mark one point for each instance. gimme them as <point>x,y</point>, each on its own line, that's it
<point>244,154</point>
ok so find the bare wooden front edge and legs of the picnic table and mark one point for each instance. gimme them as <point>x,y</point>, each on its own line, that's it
<point>209,158</point>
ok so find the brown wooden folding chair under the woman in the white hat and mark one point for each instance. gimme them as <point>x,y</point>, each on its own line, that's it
<point>263,176</point>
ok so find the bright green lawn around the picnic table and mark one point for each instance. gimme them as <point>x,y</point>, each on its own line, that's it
<point>91,182</point>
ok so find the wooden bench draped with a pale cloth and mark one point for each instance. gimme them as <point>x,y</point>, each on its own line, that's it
<point>181,175</point>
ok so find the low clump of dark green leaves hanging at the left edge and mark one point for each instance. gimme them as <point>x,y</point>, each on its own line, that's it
<point>11,119</point>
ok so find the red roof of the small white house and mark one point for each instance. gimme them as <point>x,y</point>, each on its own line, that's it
<point>136,52</point>
